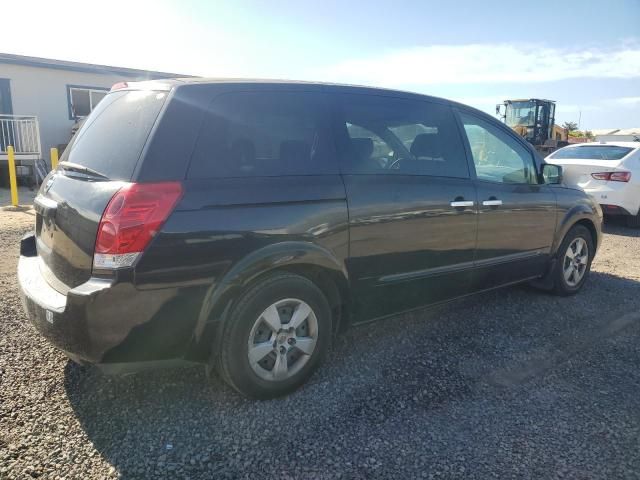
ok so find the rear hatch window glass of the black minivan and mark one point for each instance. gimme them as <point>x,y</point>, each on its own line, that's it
<point>113,136</point>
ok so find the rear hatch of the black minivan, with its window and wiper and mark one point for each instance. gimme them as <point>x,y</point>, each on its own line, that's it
<point>101,157</point>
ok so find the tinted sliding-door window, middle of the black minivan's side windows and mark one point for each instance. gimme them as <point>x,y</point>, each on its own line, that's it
<point>385,135</point>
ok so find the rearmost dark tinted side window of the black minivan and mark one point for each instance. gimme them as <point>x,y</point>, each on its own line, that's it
<point>263,134</point>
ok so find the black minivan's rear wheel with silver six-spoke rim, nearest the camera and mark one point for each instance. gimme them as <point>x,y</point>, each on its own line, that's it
<point>276,335</point>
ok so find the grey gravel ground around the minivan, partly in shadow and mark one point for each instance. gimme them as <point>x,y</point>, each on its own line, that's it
<point>510,384</point>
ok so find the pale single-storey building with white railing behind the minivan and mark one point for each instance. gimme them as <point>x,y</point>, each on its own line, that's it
<point>41,99</point>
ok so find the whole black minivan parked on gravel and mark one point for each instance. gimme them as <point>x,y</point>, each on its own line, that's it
<point>242,224</point>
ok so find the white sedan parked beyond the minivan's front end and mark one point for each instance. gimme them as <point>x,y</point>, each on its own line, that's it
<point>608,171</point>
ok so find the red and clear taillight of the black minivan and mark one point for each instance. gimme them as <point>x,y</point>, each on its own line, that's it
<point>132,218</point>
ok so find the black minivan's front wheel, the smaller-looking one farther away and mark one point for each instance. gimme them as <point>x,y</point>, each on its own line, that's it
<point>574,261</point>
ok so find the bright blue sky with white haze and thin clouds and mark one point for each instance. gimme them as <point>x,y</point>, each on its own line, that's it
<point>585,55</point>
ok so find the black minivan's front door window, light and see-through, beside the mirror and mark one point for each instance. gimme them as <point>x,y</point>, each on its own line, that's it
<point>498,157</point>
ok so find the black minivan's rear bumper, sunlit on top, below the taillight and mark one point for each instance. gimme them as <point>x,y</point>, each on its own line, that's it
<point>103,321</point>
